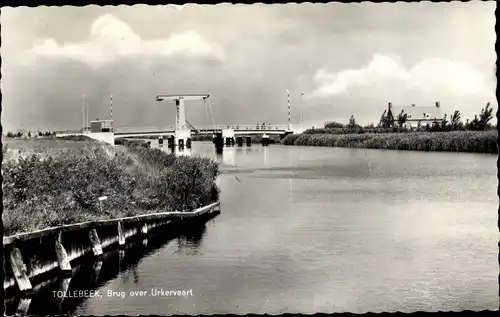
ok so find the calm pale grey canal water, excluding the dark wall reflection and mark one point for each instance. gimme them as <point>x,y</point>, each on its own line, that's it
<point>310,229</point>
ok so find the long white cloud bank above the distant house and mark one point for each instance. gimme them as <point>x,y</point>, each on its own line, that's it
<point>432,75</point>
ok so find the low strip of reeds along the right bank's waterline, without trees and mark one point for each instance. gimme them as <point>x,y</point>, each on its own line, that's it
<point>455,141</point>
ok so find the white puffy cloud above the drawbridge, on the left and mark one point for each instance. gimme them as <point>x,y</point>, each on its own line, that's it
<point>111,38</point>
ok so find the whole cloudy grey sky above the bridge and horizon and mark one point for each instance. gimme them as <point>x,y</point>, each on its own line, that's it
<point>345,58</point>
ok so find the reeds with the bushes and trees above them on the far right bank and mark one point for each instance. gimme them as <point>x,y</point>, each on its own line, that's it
<point>447,134</point>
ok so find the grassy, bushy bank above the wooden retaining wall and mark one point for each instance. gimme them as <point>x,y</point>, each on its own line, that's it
<point>58,182</point>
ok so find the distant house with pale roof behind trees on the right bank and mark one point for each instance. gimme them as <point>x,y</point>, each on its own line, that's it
<point>415,115</point>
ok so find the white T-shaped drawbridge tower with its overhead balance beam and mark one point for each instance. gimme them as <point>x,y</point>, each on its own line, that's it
<point>182,127</point>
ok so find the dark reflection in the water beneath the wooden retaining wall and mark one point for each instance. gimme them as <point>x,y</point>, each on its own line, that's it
<point>94,274</point>
